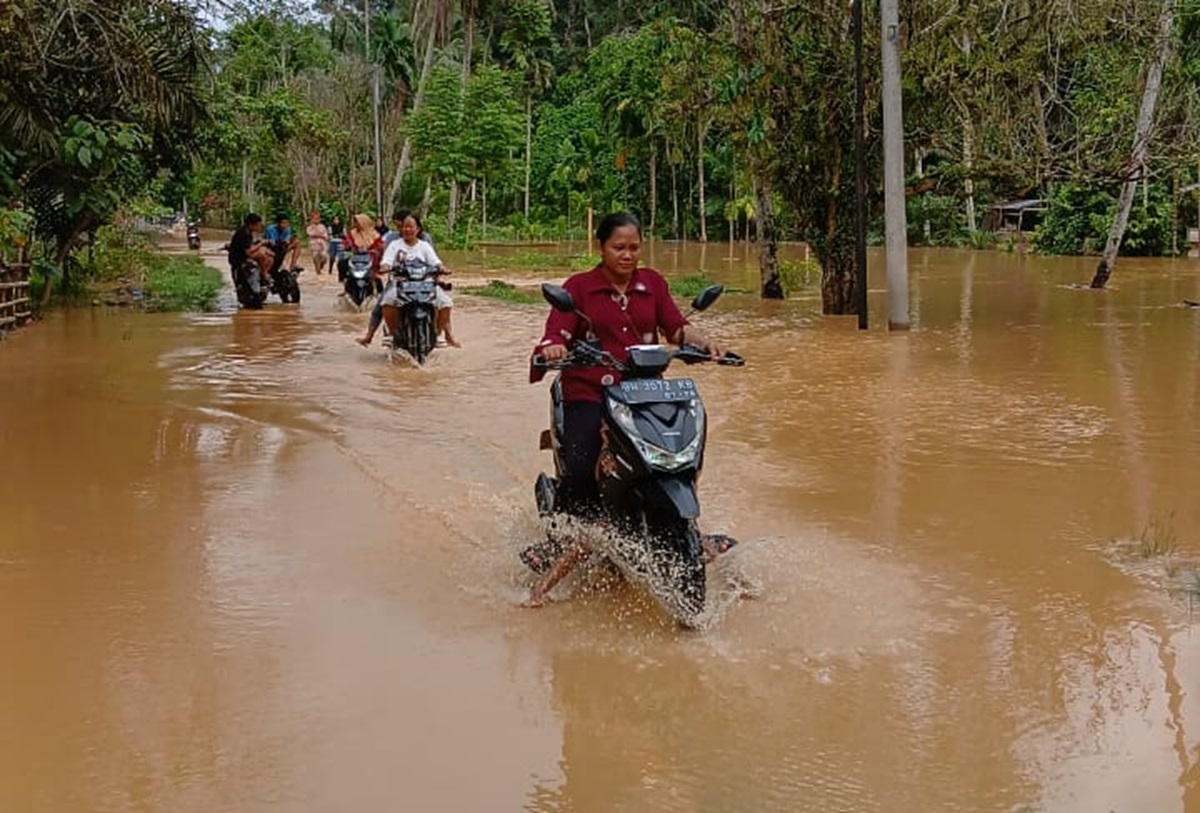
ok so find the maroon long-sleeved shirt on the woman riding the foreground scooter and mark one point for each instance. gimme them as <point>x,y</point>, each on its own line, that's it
<point>649,312</point>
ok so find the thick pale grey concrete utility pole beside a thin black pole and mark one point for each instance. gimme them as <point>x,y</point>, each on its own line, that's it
<point>893,170</point>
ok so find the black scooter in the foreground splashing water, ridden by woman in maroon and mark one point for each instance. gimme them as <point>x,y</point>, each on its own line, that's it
<point>653,449</point>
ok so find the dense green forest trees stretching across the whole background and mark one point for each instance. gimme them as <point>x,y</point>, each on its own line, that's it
<point>509,119</point>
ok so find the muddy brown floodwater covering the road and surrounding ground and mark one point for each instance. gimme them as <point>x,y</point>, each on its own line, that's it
<point>247,565</point>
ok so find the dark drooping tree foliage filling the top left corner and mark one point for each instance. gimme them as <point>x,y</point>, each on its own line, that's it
<point>97,104</point>
